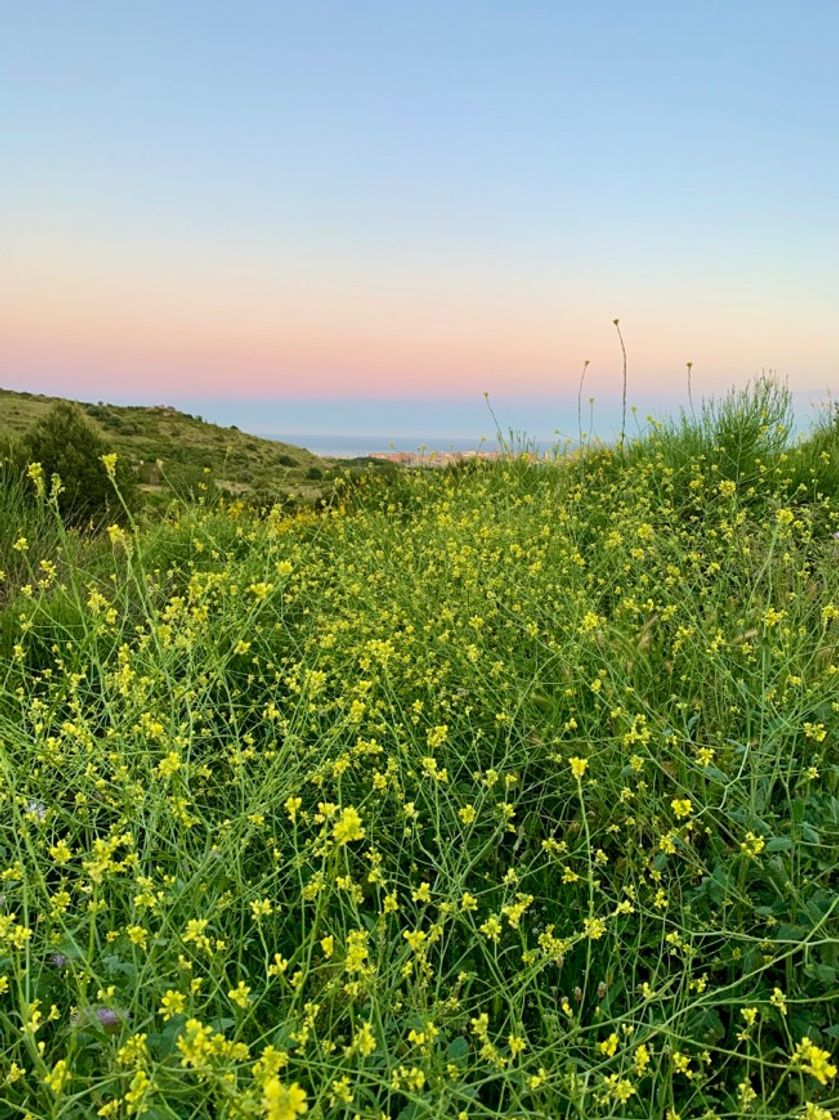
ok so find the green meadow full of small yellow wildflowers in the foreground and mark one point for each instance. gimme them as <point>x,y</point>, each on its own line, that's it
<point>502,791</point>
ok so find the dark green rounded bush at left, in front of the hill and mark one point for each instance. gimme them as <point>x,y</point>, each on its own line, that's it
<point>66,444</point>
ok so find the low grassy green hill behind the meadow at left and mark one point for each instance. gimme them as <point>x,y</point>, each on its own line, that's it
<point>172,451</point>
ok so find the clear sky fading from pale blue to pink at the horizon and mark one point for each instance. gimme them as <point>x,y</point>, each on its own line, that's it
<point>371,213</point>
